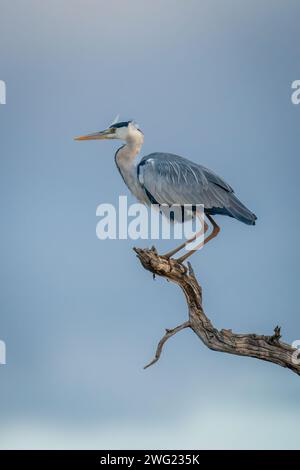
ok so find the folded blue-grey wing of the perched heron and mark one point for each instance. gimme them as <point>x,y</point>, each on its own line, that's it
<point>171,179</point>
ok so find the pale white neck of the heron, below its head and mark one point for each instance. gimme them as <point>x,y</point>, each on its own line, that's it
<point>126,162</point>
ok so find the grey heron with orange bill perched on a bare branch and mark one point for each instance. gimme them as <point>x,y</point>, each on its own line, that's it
<point>168,179</point>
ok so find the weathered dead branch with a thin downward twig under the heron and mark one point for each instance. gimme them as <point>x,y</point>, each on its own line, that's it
<point>266,348</point>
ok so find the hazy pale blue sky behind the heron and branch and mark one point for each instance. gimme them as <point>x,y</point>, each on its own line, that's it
<point>208,80</point>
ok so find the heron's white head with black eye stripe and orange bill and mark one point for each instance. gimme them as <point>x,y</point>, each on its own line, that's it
<point>126,130</point>
